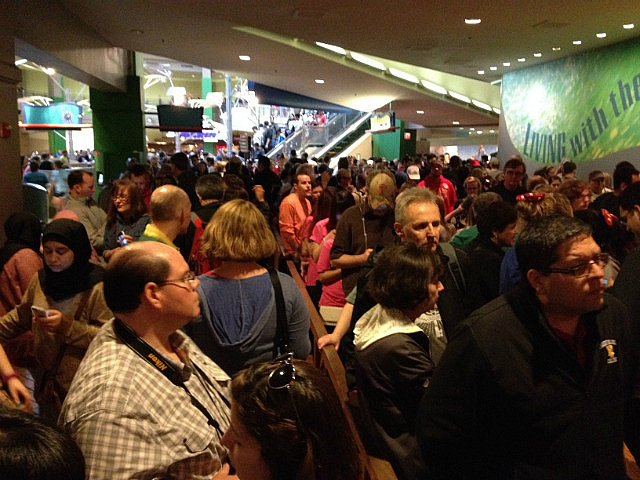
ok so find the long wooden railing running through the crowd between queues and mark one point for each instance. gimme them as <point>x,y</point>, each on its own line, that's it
<point>327,359</point>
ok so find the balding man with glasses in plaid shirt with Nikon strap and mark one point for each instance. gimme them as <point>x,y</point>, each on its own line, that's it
<point>147,403</point>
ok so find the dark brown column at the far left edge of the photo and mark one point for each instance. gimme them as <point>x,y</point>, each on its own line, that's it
<point>10,76</point>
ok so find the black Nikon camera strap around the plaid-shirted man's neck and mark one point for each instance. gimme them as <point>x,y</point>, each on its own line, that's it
<point>155,359</point>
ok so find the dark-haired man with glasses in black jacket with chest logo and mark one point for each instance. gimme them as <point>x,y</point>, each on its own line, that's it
<point>543,381</point>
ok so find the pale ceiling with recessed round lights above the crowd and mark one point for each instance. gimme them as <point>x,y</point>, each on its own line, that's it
<point>279,36</point>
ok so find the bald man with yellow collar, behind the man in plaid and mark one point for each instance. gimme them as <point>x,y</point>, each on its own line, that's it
<point>170,215</point>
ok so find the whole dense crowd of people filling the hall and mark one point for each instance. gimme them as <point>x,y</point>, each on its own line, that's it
<point>484,317</point>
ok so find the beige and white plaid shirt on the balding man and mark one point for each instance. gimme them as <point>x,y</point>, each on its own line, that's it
<point>132,422</point>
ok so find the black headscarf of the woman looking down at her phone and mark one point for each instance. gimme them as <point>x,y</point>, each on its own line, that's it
<point>81,275</point>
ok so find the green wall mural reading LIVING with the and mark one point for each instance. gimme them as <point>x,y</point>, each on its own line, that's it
<point>582,107</point>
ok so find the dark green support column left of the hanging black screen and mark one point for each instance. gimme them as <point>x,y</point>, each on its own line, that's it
<point>118,128</point>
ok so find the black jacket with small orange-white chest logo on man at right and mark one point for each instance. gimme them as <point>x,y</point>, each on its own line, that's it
<point>509,401</point>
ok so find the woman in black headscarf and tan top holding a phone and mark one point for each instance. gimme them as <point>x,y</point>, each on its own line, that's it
<point>68,294</point>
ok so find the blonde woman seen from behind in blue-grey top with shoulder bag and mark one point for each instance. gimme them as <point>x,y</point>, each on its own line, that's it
<point>238,314</point>
